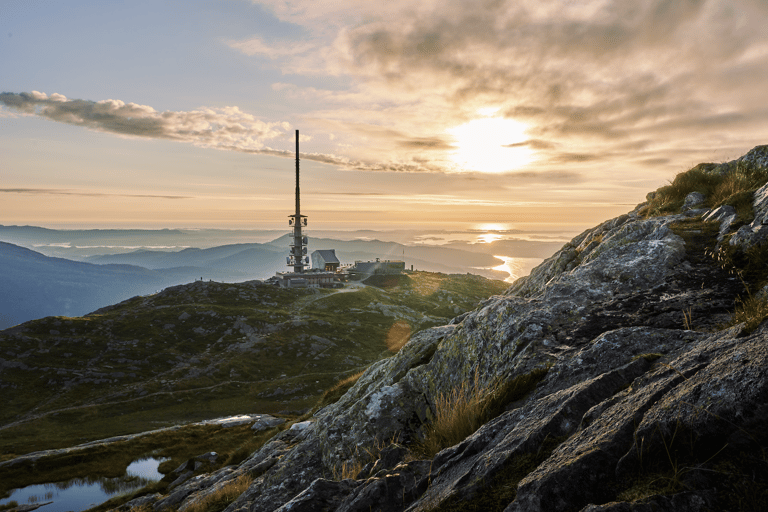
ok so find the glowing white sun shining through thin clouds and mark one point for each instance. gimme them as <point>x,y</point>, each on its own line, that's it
<point>488,144</point>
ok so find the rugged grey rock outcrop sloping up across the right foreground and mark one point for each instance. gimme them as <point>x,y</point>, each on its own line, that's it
<point>648,402</point>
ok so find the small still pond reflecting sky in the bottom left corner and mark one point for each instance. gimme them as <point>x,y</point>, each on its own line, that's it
<point>83,493</point>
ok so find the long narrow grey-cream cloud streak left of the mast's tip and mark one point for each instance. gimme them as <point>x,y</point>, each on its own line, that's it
<point>208,127</point>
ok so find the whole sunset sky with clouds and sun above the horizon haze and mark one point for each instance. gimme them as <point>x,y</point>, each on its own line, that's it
<point>507,115</point>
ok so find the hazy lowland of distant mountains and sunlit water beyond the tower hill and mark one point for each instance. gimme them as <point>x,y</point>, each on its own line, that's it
<point>74,272</point>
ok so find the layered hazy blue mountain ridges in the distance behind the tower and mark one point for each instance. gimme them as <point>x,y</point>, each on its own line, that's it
<point>36,285</point>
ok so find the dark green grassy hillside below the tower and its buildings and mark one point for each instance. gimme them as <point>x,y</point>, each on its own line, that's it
<point>204,350</point>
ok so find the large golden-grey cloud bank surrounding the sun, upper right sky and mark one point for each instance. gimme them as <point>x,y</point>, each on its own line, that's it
<point>589,78</point>
